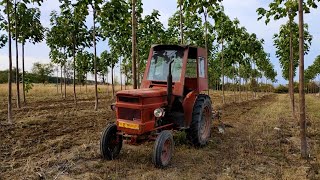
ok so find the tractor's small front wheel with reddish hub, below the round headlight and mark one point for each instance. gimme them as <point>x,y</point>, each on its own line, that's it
<point>163,149</point>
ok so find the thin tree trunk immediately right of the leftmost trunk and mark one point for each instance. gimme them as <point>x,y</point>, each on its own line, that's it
<point>17,55</point>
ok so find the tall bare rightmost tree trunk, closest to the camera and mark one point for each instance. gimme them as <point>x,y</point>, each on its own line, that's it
<point>303,128</point>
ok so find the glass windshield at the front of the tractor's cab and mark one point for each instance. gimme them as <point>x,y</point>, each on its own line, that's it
<point>159,66</point>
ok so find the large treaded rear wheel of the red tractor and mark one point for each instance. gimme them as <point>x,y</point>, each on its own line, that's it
<point>200,128</point>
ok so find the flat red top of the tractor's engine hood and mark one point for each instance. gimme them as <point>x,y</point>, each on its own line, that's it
<point>143,93</point>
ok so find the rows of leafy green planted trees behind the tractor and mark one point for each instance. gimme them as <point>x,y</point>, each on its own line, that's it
<point>233,53</point>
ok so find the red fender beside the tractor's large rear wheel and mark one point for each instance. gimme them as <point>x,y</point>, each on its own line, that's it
<point>188,104</point>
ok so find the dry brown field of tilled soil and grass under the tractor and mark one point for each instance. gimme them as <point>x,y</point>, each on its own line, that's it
<point>53,139</point>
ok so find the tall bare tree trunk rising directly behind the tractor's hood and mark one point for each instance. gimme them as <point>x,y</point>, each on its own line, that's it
<point>134,46</point>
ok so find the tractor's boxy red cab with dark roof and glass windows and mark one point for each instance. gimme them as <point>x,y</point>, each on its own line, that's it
<point>188,69</point>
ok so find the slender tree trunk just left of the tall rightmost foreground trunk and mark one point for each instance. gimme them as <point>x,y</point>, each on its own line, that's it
<point>291,85</point>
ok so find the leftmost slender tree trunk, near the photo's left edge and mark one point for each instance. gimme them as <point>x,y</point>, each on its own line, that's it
<point>10,68</point>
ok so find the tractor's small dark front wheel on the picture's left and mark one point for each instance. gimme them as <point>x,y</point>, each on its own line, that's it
<point>110,143</point>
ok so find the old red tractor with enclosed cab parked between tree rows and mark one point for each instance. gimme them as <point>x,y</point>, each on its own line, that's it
<point>169,99</point>
